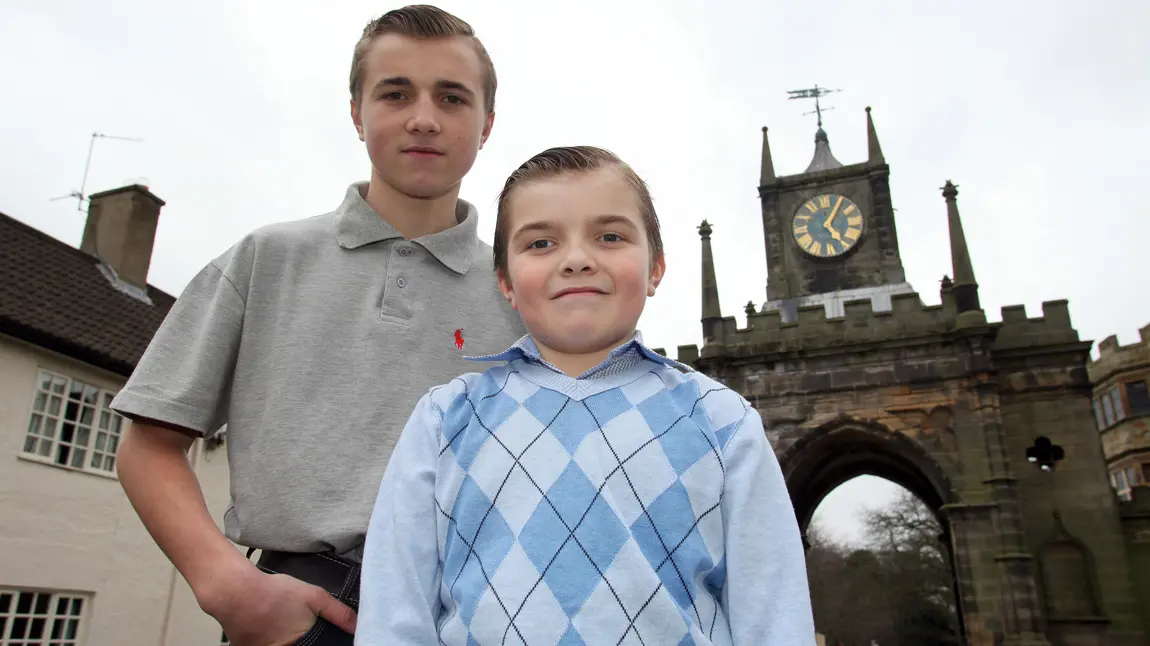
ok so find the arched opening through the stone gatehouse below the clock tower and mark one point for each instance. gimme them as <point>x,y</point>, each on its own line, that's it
<point>907,556</point>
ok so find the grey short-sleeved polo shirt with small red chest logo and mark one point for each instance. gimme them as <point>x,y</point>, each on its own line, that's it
<point>313,341</point>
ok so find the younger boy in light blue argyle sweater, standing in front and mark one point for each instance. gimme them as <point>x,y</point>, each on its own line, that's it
<point>588,490</point>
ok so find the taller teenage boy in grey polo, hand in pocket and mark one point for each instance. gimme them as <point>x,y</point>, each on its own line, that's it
<point>313,340</point>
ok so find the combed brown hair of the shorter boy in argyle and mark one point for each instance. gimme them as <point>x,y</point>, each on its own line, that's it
<point>565,160</point>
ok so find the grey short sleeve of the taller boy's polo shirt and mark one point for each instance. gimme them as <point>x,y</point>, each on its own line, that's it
<point>185,376</point>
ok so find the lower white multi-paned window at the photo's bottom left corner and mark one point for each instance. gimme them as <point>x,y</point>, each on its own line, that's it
<point>60,618</point>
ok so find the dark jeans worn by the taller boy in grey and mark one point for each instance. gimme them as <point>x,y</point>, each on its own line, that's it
<point>336,575</point>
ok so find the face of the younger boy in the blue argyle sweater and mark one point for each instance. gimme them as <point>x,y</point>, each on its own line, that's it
<point>579,268</point>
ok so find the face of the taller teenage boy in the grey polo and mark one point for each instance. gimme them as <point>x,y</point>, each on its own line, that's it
<point>421,112</point>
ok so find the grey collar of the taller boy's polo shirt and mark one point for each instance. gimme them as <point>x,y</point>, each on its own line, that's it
<point>358,225</point>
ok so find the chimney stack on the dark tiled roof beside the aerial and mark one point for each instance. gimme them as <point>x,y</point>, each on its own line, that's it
<point>121,230</point>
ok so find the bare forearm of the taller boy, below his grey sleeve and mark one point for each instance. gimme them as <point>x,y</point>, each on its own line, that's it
<point>155,472</point>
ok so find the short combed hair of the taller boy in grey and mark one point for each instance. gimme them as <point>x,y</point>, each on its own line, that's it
<point>421,21</point>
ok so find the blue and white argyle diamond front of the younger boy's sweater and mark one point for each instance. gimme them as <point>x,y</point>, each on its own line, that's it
<point>571,521</point>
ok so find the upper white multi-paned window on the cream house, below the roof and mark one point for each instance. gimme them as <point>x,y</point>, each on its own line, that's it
<point>71,426</point>
